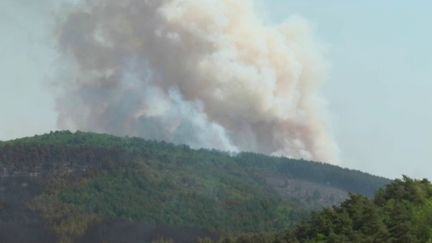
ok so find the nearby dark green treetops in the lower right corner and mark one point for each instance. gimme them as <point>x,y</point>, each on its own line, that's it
<point>400,213</point>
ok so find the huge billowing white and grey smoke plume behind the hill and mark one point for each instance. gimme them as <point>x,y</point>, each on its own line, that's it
<point>207,73</point>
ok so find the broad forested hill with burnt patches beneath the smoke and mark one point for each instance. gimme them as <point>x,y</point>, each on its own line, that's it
<point>89,187</point>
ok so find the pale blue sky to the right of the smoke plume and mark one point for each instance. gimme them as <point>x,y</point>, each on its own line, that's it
<point>380,85</point>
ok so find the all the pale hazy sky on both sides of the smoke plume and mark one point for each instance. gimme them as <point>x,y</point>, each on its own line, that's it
<point>378,89</point>
